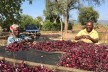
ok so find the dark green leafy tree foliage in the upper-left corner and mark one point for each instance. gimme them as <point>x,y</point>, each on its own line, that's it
<point>10,11</point>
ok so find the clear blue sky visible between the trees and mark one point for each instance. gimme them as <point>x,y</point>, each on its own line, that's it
<point>36,9</point>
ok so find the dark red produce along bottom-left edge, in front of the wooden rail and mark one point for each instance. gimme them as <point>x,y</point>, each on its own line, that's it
<point>22,67</point>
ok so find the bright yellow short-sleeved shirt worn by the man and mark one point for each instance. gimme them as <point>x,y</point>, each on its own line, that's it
<point>93,34</point>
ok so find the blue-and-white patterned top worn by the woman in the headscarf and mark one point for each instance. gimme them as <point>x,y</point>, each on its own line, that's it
<point>11,39</point>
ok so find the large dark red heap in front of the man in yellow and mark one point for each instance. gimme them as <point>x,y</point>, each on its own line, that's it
<point>86,56</point>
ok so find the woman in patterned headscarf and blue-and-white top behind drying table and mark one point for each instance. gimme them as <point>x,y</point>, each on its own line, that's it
<point>15,36</point>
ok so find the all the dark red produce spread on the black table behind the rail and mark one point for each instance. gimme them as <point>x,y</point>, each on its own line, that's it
<point>79,55</point>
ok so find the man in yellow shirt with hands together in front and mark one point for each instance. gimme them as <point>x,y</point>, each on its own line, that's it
<point>88,34</point>
